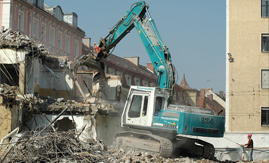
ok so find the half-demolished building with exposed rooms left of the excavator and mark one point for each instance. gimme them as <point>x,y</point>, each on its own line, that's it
<point>28,74</point>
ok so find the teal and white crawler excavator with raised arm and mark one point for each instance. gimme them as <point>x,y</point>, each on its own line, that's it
<point>150,120</point>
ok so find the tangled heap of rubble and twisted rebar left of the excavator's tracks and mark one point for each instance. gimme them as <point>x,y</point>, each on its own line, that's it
<point>57,147</point>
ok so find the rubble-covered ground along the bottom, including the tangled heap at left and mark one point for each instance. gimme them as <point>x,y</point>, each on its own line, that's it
<point>67,147</point>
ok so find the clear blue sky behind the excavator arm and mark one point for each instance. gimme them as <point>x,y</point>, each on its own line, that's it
<point>193,30</point>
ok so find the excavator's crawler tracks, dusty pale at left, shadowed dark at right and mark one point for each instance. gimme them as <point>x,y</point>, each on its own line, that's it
<point>182,146</point>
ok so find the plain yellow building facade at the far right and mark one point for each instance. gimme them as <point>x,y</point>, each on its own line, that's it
<point>247,66</point>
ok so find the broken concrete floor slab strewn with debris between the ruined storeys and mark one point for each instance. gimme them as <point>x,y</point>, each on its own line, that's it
<point>11,96</point>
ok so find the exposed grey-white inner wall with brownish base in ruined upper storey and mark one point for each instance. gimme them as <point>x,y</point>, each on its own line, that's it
<point>51,80</point>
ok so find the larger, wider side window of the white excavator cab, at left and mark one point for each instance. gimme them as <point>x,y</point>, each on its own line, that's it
<point>135,106</point>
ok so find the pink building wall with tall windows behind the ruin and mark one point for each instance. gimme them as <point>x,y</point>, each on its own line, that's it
<point>29,11</point>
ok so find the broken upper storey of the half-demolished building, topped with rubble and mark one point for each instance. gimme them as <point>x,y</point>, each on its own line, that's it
<point>38,72</point>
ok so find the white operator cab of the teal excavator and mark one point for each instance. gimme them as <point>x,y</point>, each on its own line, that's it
<point>142,104</point>
